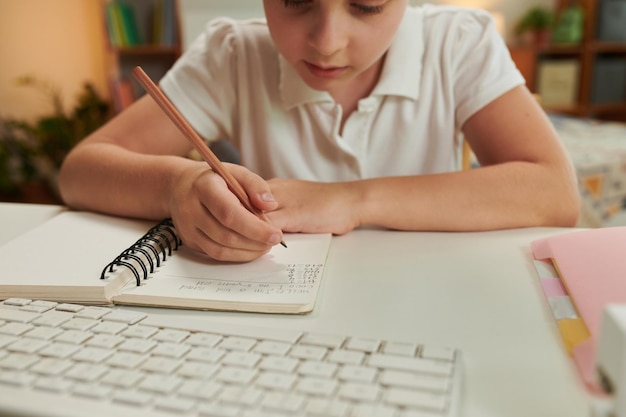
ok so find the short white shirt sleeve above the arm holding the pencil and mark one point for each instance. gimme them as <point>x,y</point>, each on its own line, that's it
<point>202,83</point>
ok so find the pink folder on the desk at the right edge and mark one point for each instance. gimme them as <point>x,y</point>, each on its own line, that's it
<point>592,266</point>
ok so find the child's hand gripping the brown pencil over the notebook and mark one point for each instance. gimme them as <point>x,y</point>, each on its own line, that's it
<point>210,218</point>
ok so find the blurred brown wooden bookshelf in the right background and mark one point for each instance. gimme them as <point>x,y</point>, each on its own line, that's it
<point>597,63</point>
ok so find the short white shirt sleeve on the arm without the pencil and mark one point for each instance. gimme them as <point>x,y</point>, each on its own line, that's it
<point>480,63</point>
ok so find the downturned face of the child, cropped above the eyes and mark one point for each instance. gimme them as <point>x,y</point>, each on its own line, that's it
<point>334,44</point>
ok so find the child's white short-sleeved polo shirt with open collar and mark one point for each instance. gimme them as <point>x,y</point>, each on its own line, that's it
<point>444,64</point>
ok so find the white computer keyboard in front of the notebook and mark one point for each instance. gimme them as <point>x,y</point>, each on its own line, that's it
<point>67,359</point>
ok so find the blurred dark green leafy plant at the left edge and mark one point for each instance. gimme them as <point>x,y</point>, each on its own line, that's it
<point>31,153</point>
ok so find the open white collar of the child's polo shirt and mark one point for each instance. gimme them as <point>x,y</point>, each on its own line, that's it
<point>400,76</point>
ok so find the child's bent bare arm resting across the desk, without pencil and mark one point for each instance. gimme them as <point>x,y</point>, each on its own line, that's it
<point>525,179</point>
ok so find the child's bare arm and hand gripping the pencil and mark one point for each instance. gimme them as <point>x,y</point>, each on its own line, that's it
<point>135,166</point>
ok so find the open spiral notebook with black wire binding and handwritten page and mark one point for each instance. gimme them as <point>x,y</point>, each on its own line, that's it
<point>91,258</point>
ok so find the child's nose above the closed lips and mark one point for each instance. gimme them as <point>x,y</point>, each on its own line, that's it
<point>328,34</point>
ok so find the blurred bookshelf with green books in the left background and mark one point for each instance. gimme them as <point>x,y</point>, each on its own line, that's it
<point>139,32</point>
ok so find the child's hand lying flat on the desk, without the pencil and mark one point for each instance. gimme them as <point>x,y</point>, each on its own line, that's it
<point>314,207</point>
